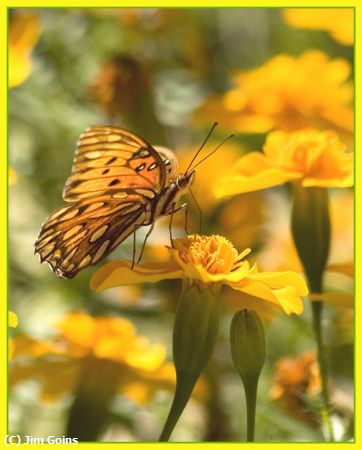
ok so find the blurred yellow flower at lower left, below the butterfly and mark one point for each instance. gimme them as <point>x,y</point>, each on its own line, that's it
<point>84,341</point>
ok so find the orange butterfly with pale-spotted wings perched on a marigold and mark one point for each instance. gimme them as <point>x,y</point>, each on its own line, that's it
<point>118,184</point>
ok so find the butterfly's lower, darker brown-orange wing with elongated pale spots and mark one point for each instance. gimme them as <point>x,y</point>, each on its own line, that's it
<point>82,234</point>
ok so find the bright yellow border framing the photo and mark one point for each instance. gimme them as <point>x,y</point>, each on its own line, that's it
<point>5,295</point>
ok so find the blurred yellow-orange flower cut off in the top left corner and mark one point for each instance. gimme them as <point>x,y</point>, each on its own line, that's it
<point>23,35</point>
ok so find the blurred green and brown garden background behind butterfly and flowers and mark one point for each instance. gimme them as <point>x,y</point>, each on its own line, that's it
<point>149,70</point>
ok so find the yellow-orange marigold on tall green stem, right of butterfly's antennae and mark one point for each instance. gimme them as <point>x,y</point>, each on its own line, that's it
<point>313,157</point>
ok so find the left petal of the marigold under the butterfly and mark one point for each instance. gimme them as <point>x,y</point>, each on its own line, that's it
<point>119,273</point>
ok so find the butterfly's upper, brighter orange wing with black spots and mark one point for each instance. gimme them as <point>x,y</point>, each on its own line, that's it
<point>109,158</point>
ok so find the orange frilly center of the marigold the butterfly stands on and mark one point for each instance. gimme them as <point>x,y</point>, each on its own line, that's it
<point>215,253</point>
